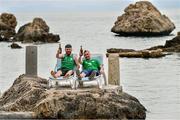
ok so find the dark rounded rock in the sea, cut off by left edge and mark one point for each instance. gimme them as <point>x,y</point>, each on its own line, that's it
<point>7,26</point>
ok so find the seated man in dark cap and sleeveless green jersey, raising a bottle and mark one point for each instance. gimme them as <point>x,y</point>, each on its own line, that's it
<point>68,62</point>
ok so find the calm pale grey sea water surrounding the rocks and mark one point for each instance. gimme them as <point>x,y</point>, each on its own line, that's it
<point>155,82</point>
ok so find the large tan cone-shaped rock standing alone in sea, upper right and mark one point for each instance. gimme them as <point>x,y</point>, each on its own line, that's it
<point>142,19</point>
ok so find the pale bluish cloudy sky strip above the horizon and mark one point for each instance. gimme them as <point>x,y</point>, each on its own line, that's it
<point>76,5</point>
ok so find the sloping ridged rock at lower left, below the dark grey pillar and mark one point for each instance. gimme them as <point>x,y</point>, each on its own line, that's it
<point>23,94</point>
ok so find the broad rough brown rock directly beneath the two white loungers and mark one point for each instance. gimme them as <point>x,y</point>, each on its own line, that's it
<point>90,105</point>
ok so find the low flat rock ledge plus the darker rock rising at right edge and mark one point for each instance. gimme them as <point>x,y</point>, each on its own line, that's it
<point>153,52</point>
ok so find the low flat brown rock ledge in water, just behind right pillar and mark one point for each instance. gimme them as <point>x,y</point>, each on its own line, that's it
<point>137,54</point>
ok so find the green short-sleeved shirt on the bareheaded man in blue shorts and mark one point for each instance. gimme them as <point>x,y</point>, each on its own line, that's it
<point>91,64</point>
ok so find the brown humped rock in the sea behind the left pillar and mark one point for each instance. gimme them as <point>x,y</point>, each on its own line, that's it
<point>37,31</point>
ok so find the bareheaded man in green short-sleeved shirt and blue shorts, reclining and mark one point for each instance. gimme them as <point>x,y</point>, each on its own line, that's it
<point>91,67</point>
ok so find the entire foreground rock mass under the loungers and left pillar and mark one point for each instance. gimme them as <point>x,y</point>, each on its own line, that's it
<point>31,94</point>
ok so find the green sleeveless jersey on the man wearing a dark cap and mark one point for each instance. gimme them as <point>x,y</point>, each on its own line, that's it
<point>67,62</point>
